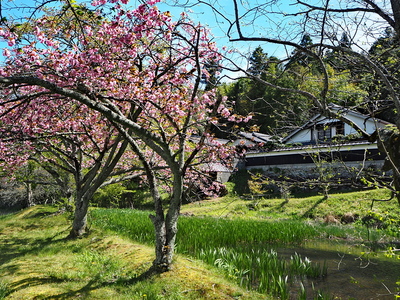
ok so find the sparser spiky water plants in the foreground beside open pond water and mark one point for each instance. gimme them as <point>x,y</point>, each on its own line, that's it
<point>263,269</point>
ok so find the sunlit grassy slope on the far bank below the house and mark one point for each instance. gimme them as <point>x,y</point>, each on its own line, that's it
<point>315,207</point>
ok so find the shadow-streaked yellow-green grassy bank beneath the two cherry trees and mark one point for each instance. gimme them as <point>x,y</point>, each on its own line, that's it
<point>36,262</point>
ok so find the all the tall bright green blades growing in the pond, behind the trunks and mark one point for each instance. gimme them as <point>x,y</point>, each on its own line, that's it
<point>240,248</point>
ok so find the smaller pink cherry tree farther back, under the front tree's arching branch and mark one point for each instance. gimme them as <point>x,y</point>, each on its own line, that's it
<point>64,137</point>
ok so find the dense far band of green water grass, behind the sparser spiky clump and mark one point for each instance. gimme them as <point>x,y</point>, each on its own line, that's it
<point>196,233</point>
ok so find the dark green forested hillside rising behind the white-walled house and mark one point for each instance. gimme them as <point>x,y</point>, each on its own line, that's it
<point>277,112</point>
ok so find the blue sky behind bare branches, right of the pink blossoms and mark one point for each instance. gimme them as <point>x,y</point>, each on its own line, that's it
<point>280,24</point>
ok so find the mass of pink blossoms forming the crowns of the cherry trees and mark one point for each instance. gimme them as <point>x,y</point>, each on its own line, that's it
<point>140,62</point>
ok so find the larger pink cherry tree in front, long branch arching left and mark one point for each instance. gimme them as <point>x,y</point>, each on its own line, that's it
<point>142,72</point>
